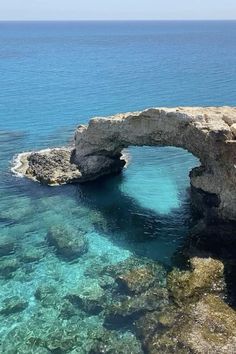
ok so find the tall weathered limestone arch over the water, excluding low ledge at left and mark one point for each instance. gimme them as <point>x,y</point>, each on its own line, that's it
<point>208,133</point>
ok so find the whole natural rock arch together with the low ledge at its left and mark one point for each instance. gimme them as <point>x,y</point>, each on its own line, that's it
<point>208,133</point>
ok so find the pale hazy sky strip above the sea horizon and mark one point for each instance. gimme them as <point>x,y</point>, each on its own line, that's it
<point>116,9</point>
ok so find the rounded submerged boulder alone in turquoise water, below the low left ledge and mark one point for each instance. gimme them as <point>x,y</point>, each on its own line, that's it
<point>69,242</point>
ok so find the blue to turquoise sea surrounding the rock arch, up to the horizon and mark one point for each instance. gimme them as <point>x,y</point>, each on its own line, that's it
<point>56,75</point>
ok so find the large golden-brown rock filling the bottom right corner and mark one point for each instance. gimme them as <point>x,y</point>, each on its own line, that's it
<point>208,326</point>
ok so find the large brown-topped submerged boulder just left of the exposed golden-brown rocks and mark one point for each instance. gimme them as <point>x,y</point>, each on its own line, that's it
<point>141,288</point>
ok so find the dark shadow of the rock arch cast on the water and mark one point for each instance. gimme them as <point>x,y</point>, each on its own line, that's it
<point>128,224</point>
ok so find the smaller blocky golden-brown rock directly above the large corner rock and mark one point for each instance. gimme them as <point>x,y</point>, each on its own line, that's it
<point>207,275</point>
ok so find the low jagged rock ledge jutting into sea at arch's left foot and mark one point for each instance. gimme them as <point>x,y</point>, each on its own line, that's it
<point>56,167</point>
